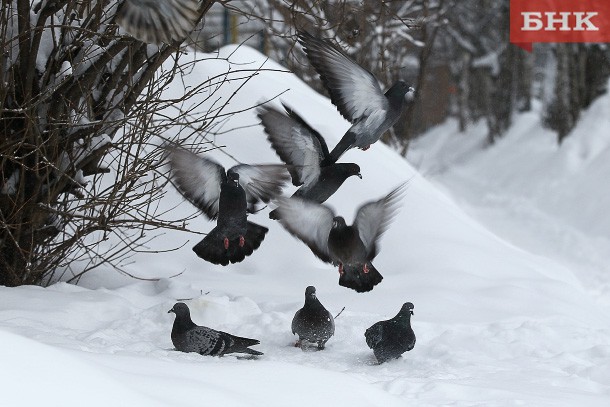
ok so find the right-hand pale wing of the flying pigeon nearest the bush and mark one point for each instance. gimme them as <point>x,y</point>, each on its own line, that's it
<point>261,182</point>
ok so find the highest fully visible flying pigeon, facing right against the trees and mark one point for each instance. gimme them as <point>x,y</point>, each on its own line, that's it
<point>356,93</point>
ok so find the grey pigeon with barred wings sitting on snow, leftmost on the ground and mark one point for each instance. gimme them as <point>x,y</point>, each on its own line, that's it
<point>188,337</point>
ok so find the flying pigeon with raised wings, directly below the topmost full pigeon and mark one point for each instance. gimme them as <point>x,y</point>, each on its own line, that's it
<point>305,150</point>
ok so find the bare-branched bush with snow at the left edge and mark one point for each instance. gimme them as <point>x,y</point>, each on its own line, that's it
<point>78,160</point>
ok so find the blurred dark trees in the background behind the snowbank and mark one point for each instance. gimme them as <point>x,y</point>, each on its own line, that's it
<point>455,53</point>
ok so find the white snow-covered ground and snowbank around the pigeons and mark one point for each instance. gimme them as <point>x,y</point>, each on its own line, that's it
<point>510,285</point>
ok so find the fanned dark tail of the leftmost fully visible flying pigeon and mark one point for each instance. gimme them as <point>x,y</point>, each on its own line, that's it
<point>212,247</point>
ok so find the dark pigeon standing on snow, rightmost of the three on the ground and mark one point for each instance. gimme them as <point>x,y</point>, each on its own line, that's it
<point>390,339</point>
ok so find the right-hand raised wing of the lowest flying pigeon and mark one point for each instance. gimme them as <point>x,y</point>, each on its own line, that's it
<point>373,218</point>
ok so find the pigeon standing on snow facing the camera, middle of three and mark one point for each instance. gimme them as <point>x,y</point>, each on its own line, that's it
<point>313,323</point>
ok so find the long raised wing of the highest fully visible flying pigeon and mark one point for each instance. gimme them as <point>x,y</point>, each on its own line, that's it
<point>353,90</point>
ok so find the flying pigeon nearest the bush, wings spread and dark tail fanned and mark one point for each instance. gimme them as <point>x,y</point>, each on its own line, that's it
<point>225,197</point>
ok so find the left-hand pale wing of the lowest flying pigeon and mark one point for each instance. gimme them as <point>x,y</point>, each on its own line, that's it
<point>309,222</point>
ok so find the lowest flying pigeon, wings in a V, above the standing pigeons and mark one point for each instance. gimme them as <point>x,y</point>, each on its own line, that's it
<point>353,247</point>
